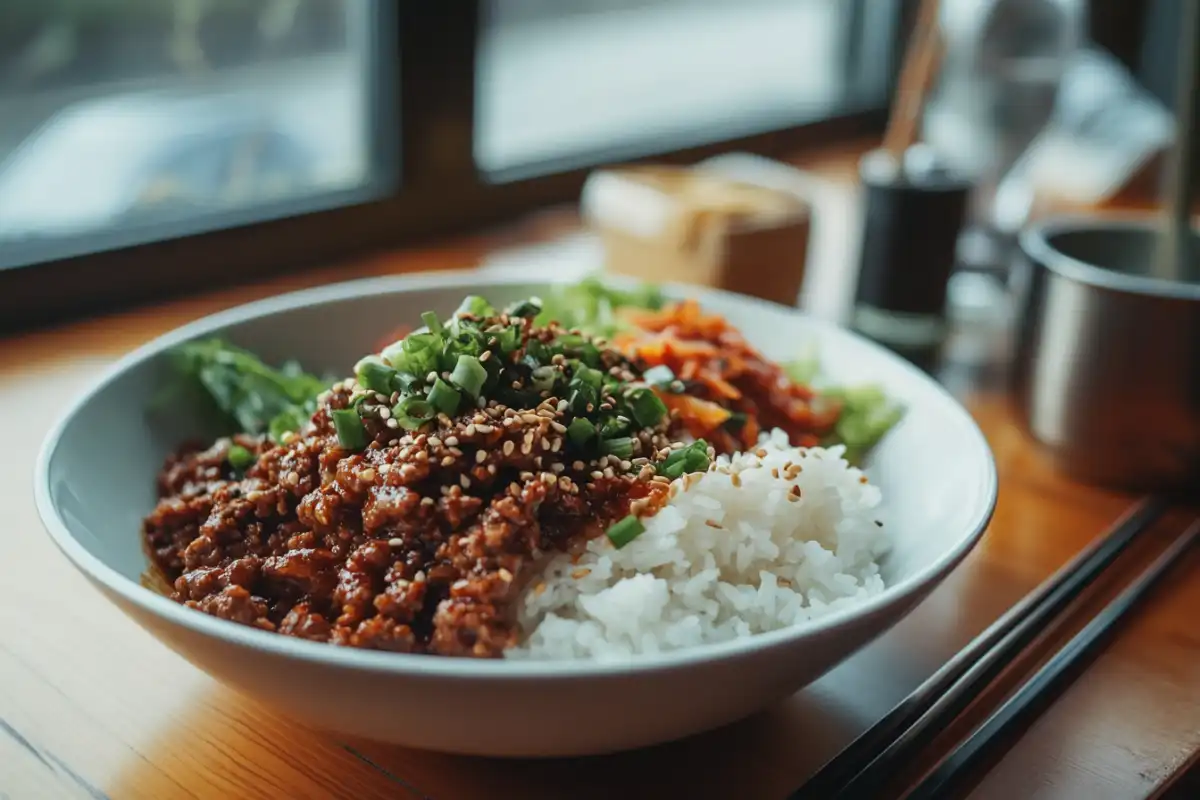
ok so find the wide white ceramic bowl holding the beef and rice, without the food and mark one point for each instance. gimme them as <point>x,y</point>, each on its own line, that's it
<point>95,483</point>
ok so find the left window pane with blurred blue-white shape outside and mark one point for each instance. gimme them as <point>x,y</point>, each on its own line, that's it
<point>121,115</point>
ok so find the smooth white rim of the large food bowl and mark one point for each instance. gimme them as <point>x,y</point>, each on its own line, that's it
<point>413,665</point>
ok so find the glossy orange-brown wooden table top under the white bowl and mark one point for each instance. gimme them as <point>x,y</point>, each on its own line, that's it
<point>94,707</point>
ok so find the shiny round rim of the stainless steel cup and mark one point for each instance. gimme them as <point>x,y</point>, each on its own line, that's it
<point>1036,244</point>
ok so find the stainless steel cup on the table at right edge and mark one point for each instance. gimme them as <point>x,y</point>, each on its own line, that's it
<point>1108,359</point>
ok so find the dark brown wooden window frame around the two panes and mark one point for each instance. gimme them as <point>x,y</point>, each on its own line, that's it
<point>422,86</point>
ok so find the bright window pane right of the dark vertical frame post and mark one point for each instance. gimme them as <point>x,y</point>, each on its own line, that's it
<point>579,82</point>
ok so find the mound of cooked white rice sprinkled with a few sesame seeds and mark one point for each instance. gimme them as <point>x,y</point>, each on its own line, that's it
<point>729,557</point>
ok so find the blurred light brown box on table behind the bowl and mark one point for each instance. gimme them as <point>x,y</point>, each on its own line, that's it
<point>691,226</point>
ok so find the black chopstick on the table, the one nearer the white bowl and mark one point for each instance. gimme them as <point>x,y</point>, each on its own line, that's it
<point>867,761</point>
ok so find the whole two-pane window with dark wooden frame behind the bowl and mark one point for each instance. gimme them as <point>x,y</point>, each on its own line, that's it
<point>163,146</point>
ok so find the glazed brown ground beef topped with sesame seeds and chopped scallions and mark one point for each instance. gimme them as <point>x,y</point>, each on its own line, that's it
<point>358,532</point>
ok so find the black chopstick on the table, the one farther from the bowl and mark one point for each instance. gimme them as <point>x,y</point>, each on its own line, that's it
<point>1047,682</point>
